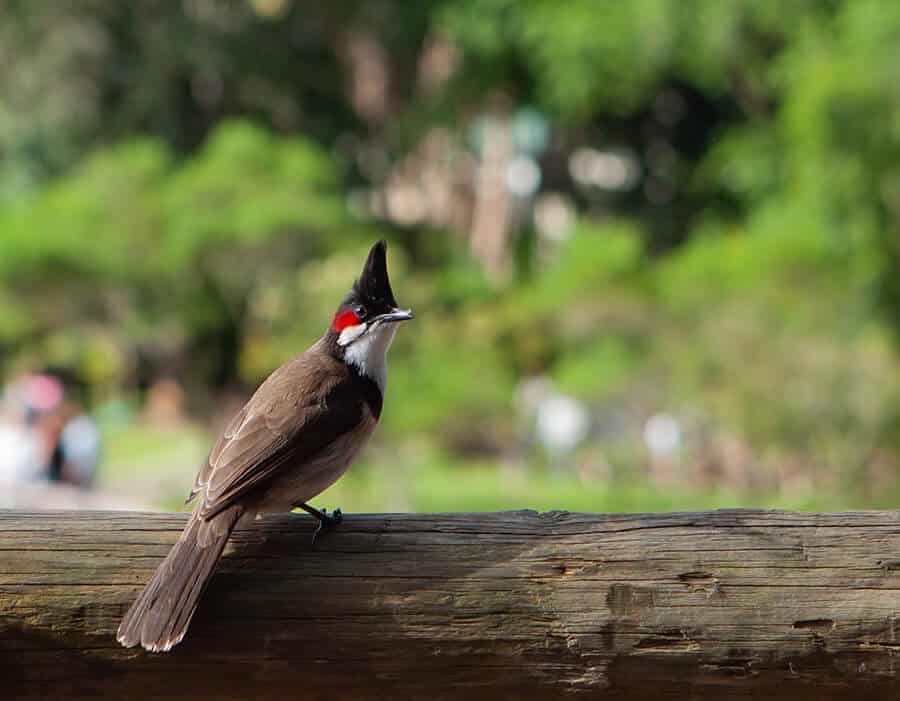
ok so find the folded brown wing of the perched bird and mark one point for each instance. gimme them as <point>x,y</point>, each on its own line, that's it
<point>285,422</point>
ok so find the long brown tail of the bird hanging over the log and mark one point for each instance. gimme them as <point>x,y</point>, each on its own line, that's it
<point>160,616</point>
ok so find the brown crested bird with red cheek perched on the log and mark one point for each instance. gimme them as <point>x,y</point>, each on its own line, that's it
<point>295,436</point>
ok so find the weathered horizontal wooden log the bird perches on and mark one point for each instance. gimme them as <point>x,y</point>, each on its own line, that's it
<point>725,604</point>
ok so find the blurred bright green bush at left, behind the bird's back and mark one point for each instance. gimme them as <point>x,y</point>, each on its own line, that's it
<point>133,241</point>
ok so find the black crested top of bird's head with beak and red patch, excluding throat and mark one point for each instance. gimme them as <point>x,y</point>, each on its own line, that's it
<point>371,302</point>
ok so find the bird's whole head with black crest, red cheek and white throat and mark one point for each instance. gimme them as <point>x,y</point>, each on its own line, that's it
<point>365,322</point>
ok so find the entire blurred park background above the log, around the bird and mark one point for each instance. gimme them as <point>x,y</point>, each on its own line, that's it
<point>653,246</point>
